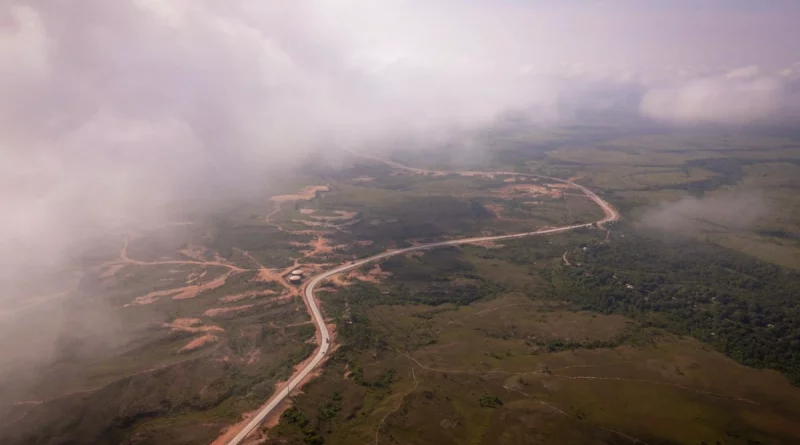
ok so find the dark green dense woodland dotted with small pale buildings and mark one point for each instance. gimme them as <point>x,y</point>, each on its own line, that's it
<point>746,308</point>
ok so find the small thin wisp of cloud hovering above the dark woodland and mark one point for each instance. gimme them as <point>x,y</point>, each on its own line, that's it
<point>732,210</point>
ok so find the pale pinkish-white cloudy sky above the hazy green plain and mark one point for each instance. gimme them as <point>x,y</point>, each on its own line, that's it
<point>113,110</point>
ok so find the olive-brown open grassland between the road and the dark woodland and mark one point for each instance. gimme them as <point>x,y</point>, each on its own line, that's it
<point>517,367</point>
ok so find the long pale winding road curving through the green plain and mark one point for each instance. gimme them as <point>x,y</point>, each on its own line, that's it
<point>308,291</point>
